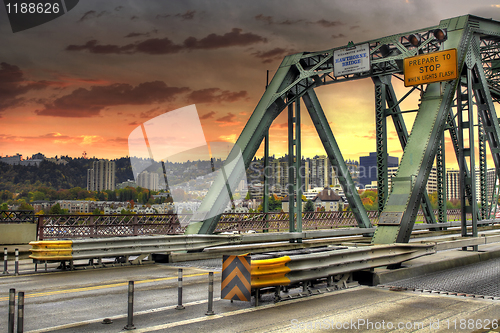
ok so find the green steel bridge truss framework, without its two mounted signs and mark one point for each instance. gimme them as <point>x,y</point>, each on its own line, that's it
<point>477,41</point>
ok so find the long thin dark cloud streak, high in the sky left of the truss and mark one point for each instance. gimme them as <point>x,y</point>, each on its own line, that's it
<point>167,46</point>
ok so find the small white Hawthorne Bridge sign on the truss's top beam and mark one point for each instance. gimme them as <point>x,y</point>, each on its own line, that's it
<point>351,60</point>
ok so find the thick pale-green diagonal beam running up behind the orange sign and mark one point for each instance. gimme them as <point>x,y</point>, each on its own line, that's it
<point>397,219</point>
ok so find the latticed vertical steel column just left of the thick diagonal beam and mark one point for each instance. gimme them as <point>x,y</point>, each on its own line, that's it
<point>381,142</point>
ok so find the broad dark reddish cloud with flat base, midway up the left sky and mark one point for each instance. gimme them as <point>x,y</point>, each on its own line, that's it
<point>89,102</point>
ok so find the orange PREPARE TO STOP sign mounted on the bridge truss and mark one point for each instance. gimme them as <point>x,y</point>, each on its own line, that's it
<point>431,67</point>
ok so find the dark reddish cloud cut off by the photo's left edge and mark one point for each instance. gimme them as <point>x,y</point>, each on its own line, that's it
<point>13,84</point>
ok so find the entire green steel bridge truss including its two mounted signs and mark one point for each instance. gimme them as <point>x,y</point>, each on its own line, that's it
<point>454,66</point>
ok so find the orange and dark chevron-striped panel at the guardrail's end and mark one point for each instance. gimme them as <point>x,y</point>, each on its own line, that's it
<point>235,283</point>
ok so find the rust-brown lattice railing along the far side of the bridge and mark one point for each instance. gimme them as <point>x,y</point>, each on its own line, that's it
<point>97,226</point>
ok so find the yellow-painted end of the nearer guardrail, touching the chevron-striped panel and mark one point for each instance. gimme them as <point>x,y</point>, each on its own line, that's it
<point>270,272</point>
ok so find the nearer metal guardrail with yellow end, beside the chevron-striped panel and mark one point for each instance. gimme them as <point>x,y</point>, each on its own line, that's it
<point>288,270</point>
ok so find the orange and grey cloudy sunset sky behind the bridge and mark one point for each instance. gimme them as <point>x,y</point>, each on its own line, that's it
<point>85,81</point>
